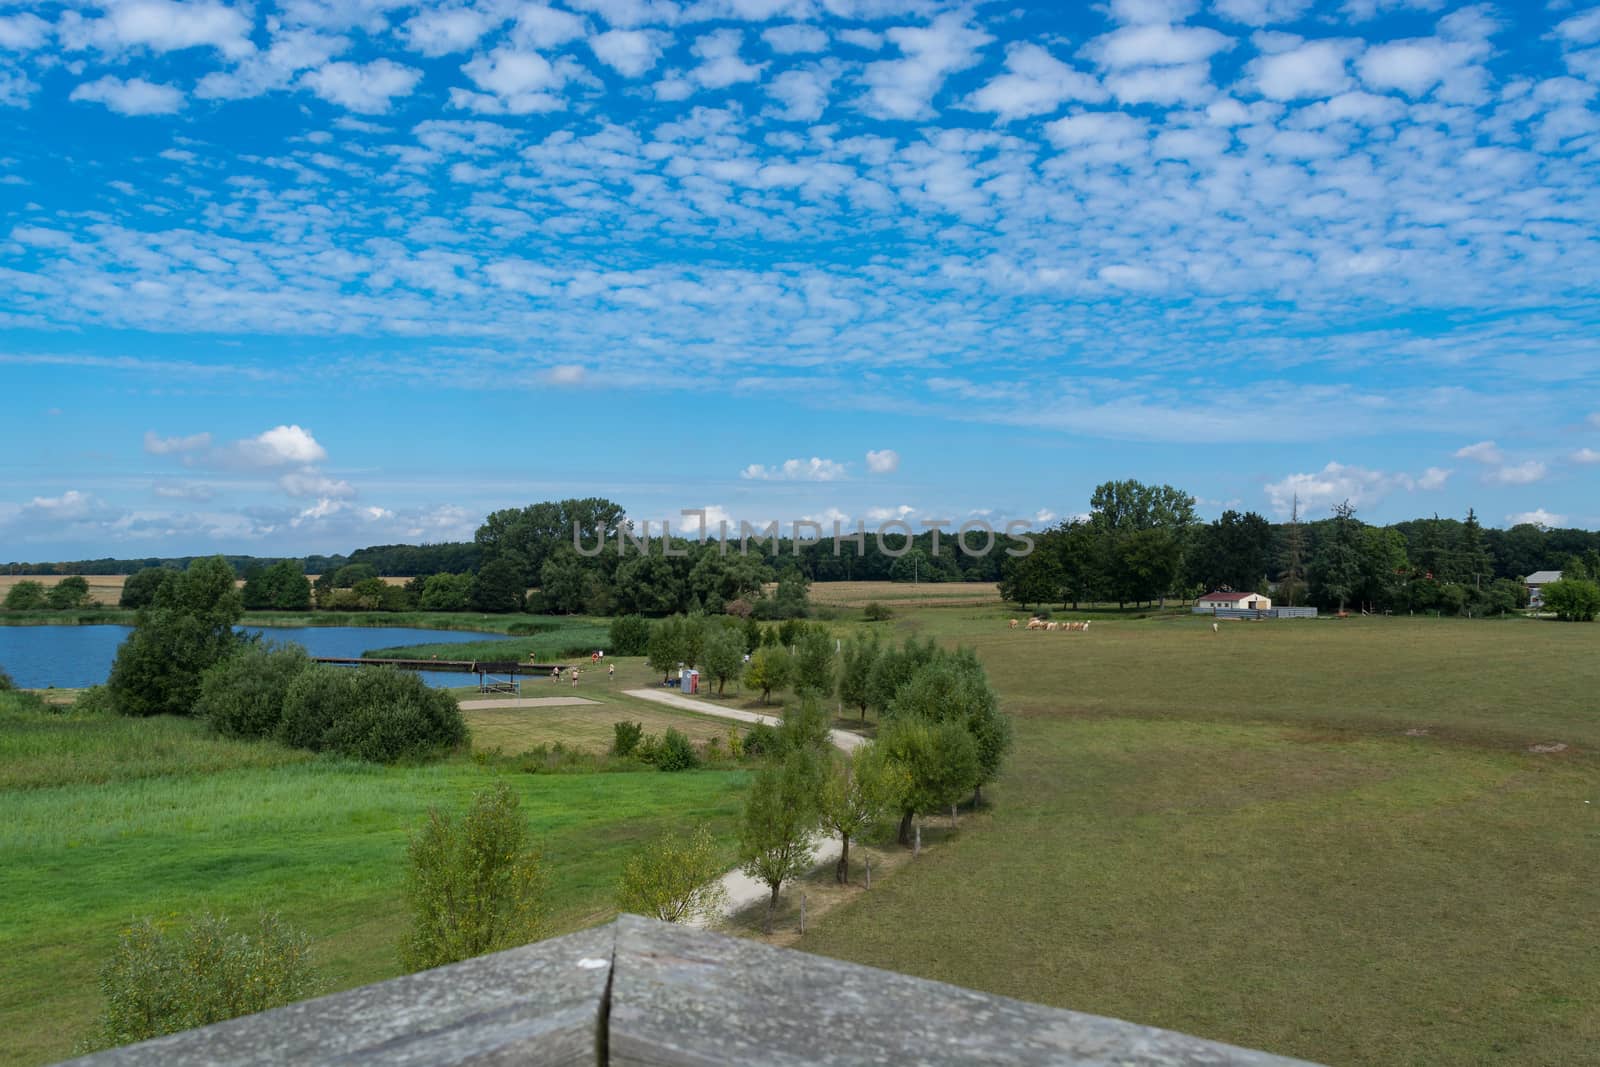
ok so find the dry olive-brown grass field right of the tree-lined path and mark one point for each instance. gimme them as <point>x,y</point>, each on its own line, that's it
<point>1326,839</point>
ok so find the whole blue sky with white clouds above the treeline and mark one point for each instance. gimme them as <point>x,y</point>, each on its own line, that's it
<point>298,278</point>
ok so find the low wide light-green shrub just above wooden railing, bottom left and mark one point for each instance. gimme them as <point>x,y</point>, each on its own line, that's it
<point>161,983</point>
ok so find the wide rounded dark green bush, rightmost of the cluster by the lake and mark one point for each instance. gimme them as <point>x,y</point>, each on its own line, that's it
<point>374,714</point>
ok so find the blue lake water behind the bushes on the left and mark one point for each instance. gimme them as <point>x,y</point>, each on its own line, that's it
<point>76,657</point>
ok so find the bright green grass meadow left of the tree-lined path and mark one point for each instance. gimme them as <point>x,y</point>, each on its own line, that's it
<point>111,820</point>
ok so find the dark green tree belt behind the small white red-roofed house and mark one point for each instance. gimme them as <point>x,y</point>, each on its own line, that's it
<point>1145,545</point>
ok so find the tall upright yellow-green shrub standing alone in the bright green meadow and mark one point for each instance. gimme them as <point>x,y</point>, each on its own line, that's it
<point>474,885</point>
